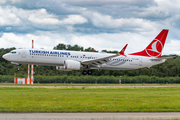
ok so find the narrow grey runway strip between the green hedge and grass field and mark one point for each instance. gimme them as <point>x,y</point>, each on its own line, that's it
<point>85,85</point>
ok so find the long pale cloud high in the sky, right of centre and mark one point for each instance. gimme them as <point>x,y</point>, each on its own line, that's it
<point>106,21</point>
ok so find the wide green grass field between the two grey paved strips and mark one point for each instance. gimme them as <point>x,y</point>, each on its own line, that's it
<point>89,99</point>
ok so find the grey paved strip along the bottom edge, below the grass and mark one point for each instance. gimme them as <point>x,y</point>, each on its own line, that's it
<point>88,116</point>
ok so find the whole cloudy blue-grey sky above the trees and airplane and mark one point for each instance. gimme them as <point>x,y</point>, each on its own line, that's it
<point>101,24</point>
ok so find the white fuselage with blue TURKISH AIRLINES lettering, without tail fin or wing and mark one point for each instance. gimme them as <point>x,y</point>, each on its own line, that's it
<point>57,58</point>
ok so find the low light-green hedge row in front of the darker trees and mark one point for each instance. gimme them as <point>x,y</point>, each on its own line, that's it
<point>98,79</point>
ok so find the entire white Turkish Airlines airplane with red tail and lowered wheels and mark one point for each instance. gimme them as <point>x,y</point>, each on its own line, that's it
<point>75,60</point>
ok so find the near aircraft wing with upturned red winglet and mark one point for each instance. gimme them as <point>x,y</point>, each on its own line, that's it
<point>98,62</point>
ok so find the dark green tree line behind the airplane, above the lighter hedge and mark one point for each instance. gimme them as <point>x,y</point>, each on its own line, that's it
<point>170,68</point>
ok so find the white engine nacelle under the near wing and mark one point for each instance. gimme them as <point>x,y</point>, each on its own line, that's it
<point>72,65</point>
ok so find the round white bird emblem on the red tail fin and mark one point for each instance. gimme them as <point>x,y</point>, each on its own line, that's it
<point>155,48</point>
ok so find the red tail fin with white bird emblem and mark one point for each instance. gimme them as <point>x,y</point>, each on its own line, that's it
<point>154,49</point>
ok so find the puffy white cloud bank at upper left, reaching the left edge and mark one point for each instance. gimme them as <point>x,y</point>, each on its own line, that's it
<point>12,16</point>
